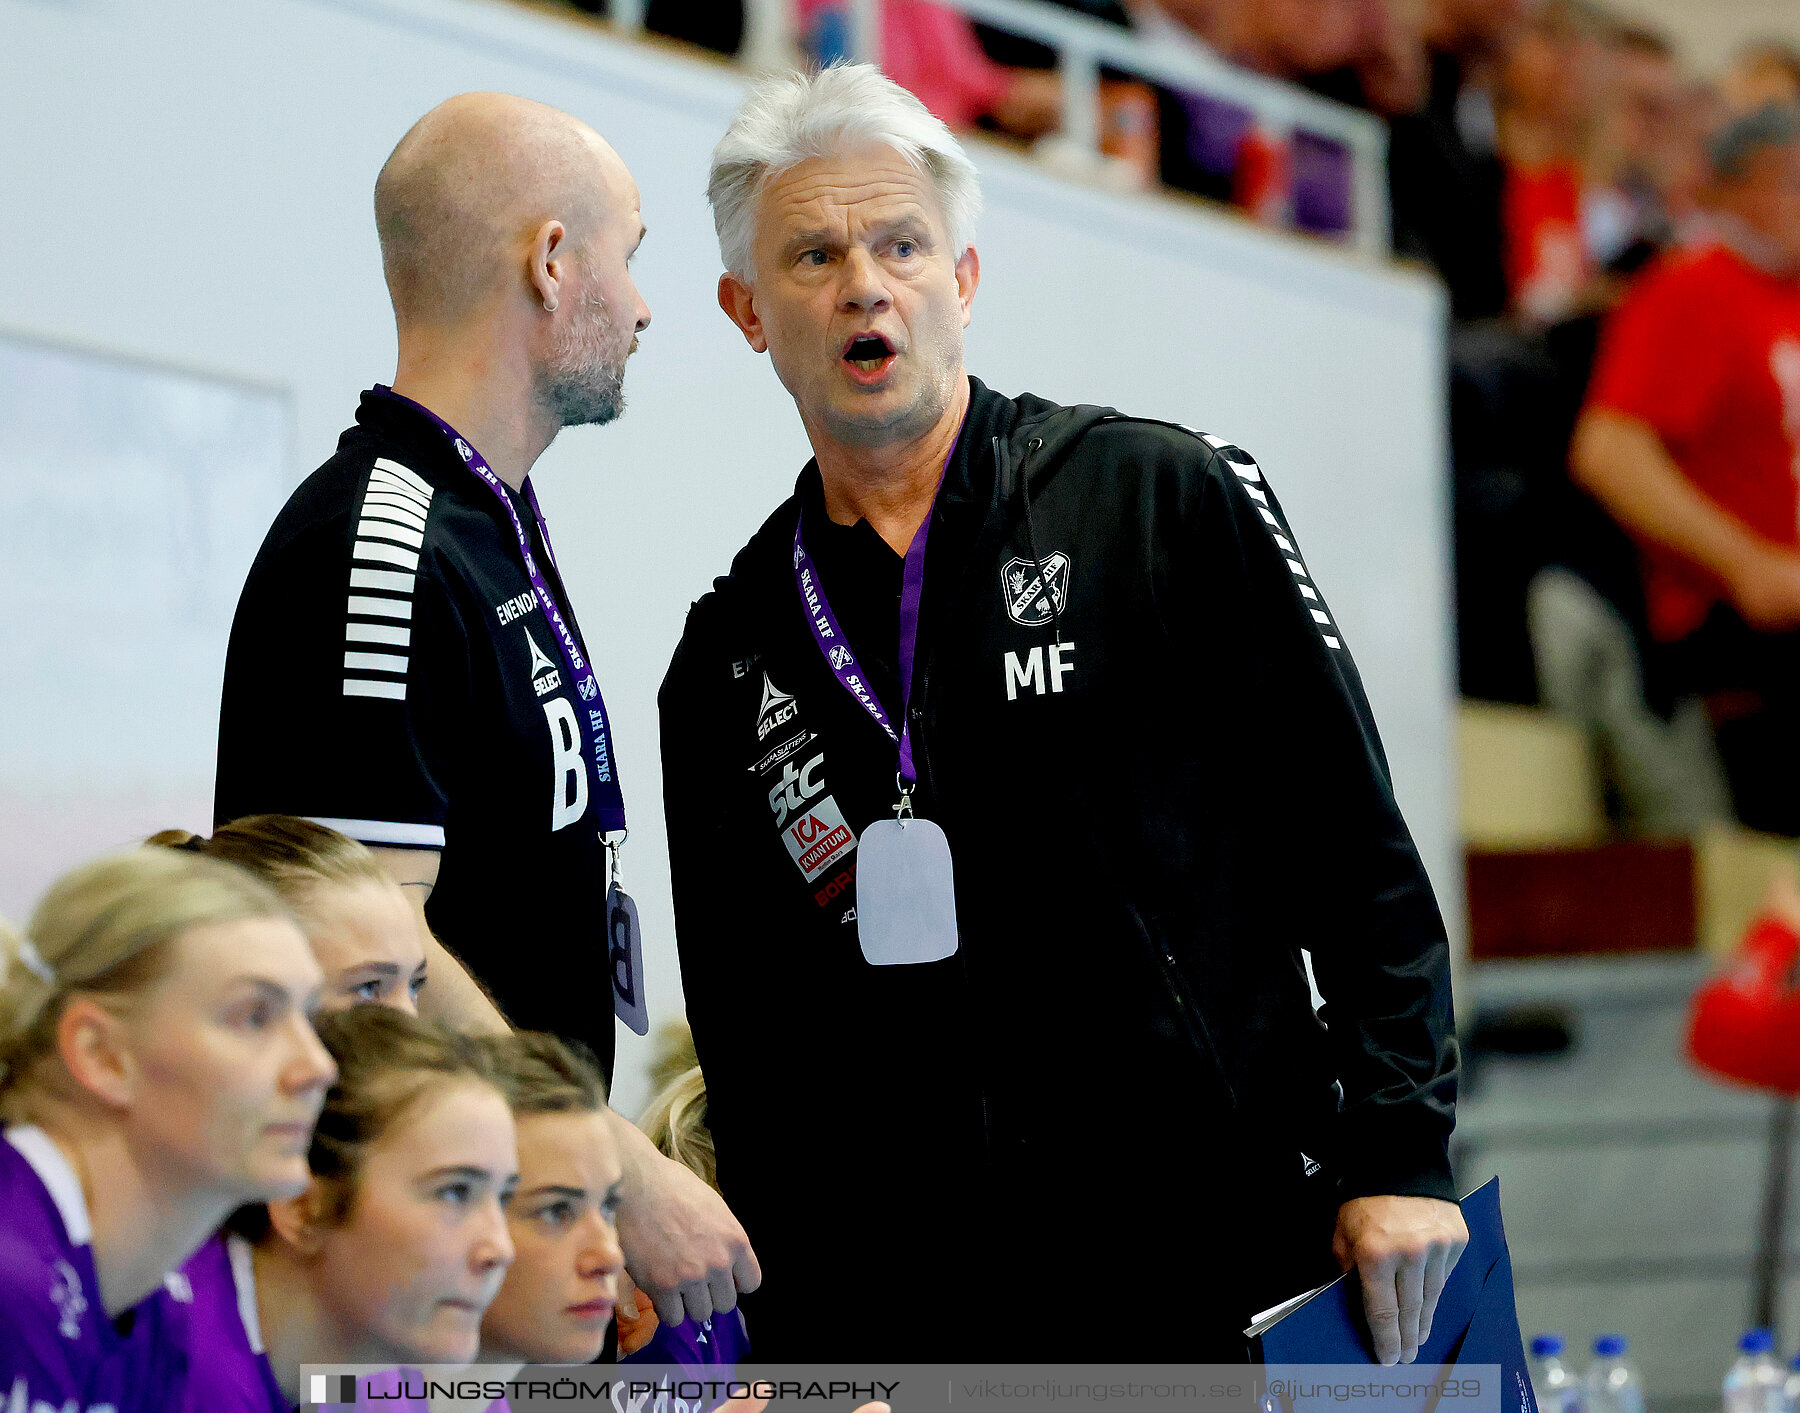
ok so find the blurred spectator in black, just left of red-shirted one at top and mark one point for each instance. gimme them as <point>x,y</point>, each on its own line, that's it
<point>1443,163</point>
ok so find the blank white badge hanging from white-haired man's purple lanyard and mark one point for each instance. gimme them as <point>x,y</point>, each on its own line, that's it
<point>906,894</point>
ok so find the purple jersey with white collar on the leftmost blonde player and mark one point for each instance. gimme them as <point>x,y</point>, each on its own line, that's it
<point>58,1351</point>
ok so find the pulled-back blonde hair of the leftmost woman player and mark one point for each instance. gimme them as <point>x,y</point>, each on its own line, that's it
<point>105,930</point>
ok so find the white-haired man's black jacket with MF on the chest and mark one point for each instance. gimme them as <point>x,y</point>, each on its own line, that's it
<point>1140,728</point>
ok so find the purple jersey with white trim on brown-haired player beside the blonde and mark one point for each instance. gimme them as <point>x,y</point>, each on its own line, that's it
<point>231,1371</point>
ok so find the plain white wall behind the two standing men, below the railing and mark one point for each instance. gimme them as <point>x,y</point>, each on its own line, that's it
<point>192,184</point>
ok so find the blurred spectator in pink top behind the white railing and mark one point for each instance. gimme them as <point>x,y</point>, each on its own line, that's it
<point>933,53</point>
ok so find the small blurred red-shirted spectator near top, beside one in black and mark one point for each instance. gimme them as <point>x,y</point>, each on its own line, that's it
<point>1552,89</point>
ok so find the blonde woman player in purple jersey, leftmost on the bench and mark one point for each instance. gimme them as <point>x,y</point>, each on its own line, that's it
<point>157,1070</point>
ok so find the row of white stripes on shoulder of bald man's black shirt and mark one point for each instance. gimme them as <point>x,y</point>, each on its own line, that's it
<point>391,532</point>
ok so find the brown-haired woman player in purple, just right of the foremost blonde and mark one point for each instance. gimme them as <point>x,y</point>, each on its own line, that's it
<point>397,1245</point>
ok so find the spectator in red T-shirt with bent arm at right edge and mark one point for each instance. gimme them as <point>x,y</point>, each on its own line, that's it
<point>1691,438</point>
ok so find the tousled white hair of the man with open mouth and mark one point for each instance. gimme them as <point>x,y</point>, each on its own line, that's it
<point>791,118</point>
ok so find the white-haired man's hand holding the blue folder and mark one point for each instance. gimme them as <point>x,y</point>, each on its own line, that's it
<point>1403,1250</point>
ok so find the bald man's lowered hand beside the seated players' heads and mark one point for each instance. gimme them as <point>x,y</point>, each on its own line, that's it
<point>683,1248</point>
